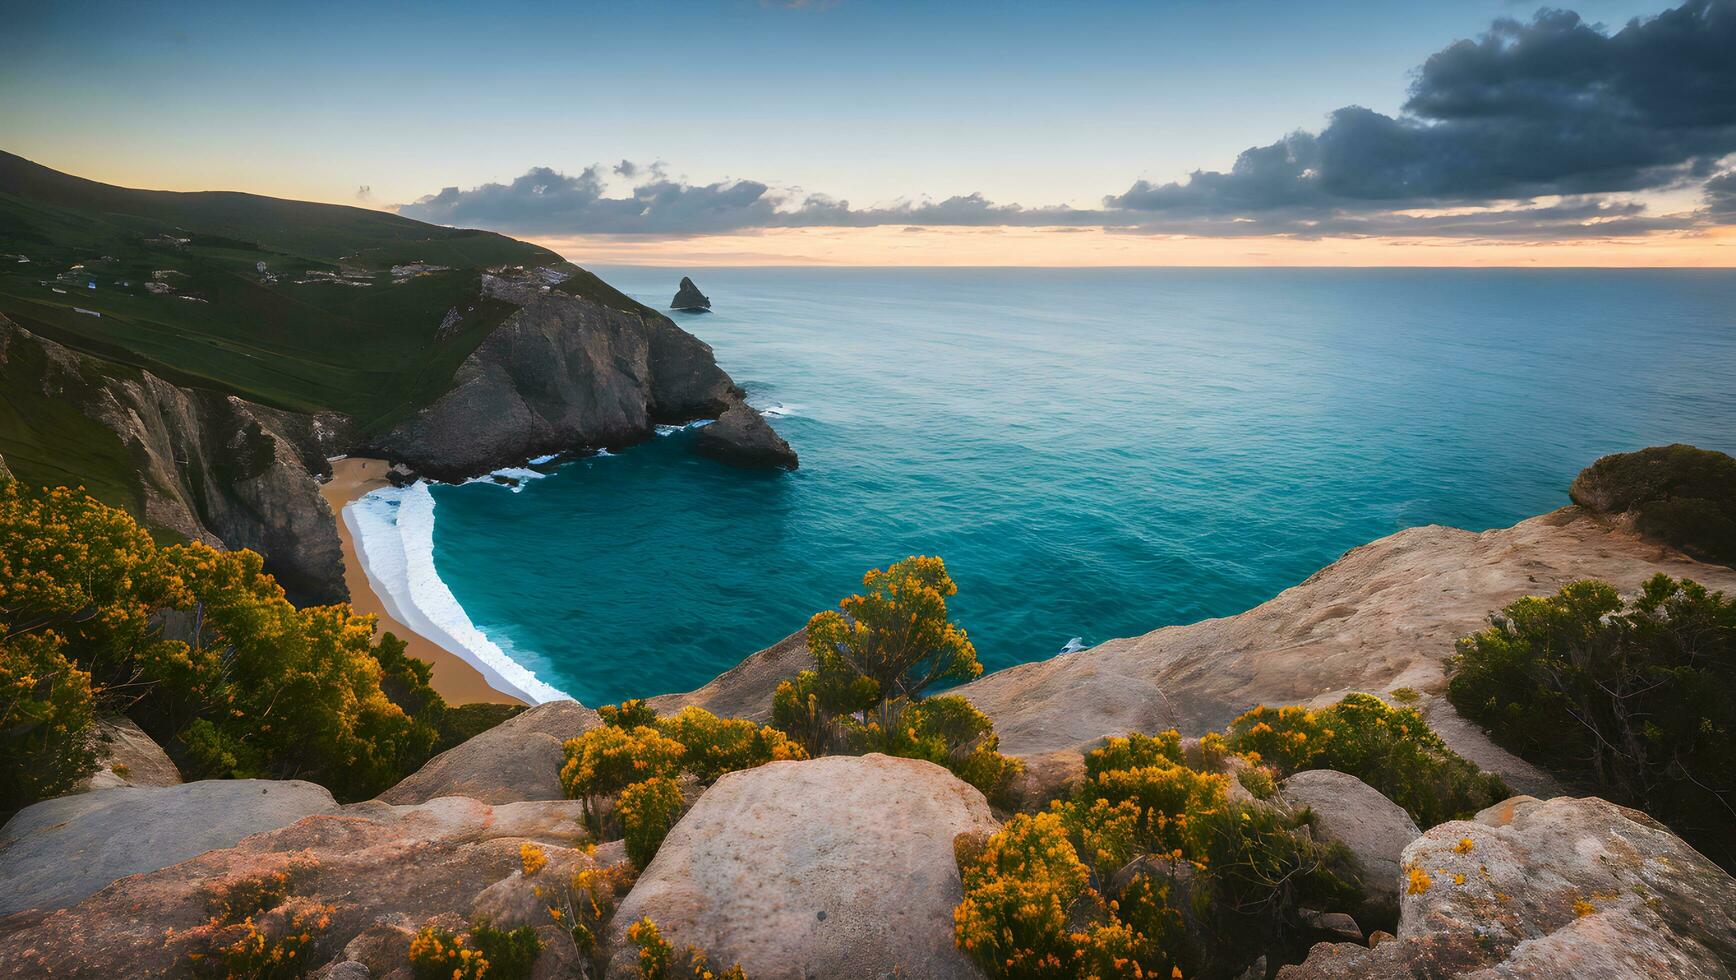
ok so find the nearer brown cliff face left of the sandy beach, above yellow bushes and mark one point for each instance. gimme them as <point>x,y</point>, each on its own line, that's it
<point>209,467</point>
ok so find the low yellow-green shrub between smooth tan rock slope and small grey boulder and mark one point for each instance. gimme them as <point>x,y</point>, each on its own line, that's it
<point>1388,748</point>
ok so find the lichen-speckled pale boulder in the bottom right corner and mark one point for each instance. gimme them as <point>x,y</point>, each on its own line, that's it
<point>1563,889</point>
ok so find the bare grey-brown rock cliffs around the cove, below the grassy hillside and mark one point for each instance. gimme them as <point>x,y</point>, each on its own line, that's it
<point>563,372</point>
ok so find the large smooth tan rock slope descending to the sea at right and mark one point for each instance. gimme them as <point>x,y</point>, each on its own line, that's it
<point>1379,618</point>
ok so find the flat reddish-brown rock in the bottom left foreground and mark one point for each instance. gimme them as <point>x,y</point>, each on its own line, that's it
<point>385,872</point>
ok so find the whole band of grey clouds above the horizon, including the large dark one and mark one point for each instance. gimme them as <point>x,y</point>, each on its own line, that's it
<point>1535,131</point>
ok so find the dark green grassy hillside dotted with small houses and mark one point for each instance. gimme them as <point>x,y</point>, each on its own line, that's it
<point>180,289</point>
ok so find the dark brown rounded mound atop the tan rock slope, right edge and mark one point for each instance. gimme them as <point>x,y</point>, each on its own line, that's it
<point>1678,495</point>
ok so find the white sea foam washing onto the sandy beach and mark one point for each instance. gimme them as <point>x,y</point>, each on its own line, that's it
<point>395,539</point>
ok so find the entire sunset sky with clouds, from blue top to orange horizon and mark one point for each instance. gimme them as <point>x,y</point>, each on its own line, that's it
<point>1223,133</point>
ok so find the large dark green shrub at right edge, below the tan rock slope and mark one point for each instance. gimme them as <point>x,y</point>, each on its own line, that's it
<point>1636,698</point>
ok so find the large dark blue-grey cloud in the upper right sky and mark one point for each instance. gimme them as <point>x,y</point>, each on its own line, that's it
<point>1553,107</point>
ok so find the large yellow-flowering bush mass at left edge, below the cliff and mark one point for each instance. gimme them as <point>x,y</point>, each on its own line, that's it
<point>201,648</point>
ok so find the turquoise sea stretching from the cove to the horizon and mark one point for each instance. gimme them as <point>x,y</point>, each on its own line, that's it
<point>1096,454</point>
